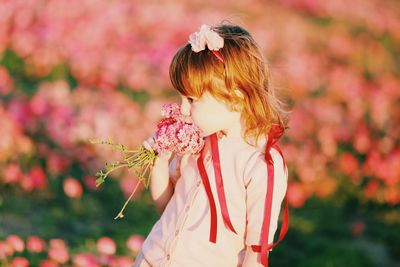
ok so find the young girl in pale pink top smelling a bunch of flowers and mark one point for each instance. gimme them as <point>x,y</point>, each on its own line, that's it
<point>220,208</point>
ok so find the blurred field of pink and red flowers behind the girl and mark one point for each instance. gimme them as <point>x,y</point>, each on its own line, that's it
<point>75,70</point>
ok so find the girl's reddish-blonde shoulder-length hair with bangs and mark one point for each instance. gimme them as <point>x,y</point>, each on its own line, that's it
<point>245,76</point>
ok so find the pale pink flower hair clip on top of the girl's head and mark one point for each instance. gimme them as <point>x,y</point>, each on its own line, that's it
<point>206,36</point>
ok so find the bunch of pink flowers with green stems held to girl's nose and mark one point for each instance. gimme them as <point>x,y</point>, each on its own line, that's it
<point>175,133</point>
